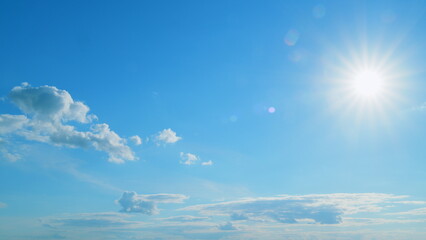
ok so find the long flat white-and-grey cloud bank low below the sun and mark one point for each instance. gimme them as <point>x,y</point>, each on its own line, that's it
<point>318,208</point>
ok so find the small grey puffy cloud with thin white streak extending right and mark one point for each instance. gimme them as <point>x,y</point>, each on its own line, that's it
<point>132,202</point>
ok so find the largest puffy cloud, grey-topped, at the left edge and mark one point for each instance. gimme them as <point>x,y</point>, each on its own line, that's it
<point>49,112</point>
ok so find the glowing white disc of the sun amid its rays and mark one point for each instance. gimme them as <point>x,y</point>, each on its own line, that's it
<point>368,83</point>
